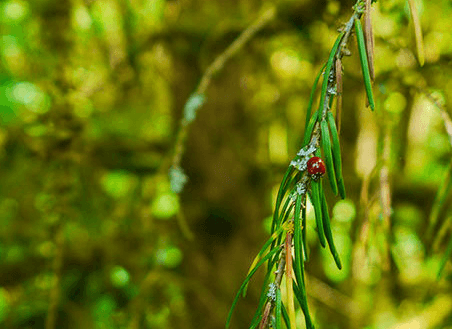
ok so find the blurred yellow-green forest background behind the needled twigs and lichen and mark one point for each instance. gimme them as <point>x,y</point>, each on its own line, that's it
<point>92,91</point>
